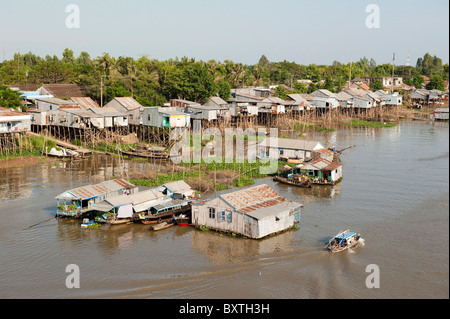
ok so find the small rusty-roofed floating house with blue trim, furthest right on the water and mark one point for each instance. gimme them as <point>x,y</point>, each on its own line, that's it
<point>320,171</point>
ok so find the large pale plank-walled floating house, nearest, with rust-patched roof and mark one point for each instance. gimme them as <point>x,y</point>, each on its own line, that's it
<point>254,212</point>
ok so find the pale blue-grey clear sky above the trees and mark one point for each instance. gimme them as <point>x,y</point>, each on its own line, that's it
<point>304,32</point>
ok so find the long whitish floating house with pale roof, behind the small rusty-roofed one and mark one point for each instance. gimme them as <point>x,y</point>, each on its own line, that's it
<point>288,149</point>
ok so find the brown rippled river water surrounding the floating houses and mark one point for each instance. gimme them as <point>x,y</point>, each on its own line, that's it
<point>395,192</point>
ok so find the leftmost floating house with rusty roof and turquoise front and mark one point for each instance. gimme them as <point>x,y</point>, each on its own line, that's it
<point>77,201</point>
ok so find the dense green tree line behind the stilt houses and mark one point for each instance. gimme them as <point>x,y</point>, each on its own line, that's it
<point>153,82</point>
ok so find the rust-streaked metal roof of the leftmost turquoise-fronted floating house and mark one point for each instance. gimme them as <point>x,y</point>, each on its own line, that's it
<point>98,189</point>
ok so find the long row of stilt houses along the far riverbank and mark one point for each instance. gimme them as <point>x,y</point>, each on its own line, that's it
<point>68,105</point>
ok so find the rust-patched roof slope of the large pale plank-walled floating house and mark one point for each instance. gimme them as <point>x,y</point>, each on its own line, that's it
<point>253,198</point>
